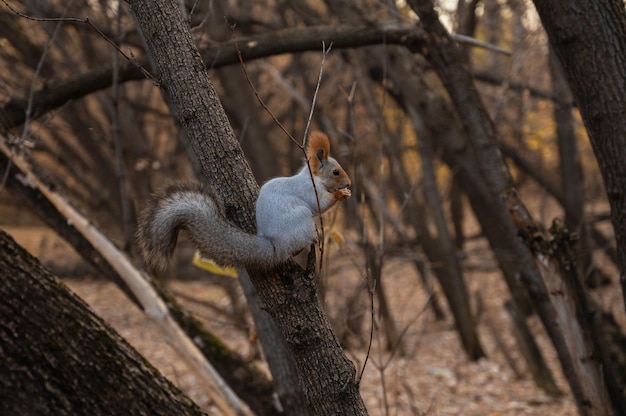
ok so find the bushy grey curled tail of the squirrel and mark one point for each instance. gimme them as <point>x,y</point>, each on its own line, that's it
<point>198,211</point>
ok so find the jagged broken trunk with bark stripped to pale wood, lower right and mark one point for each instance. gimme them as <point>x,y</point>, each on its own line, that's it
<point>590,372</point>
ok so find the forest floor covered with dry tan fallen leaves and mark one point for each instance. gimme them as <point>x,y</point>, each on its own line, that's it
<point>431,375</point>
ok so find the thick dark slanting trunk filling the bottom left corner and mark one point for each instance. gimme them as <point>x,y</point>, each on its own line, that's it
<point>57,357</point>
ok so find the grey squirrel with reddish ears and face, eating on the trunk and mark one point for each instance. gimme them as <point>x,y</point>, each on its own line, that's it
<point>285,211</point>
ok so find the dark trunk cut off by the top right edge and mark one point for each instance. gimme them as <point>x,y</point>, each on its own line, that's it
<point>590,40</point>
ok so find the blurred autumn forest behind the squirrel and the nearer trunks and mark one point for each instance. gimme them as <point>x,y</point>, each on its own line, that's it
<point>453,328</point>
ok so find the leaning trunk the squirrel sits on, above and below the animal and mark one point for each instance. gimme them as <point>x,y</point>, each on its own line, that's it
<point>326,375</point>
